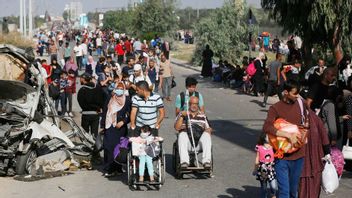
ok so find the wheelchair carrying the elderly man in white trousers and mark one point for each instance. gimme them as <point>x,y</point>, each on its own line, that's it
<point>192,168</point>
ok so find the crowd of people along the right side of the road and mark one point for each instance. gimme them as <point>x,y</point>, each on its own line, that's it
<point>320,96</point>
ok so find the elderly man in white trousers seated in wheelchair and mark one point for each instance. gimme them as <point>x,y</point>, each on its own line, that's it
<point>201,132</point>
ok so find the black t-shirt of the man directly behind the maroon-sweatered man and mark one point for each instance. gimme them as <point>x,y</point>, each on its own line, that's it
<point>318,92</point>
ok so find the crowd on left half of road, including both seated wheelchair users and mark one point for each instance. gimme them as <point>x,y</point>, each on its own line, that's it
<point>119,93</point>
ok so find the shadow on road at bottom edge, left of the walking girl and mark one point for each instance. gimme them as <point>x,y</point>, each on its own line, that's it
<point>249,191</point>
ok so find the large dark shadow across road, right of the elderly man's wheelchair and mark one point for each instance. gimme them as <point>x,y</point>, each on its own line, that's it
<point>237,133</point>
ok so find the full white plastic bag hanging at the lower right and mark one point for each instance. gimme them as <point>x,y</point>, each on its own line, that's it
<point>330,180</point>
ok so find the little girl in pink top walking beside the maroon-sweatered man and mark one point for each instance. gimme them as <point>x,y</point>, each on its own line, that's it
<point>264,167</point>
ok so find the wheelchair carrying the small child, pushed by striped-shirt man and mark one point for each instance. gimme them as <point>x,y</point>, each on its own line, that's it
<point>159,171</point>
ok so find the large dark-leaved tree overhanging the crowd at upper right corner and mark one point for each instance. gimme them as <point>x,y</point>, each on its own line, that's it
<point>323,22</point>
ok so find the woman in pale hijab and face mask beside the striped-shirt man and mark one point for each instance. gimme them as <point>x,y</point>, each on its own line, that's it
<point>117,118</point>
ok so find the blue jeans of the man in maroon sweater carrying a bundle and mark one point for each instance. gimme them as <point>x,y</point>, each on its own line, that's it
<point>288,174</point>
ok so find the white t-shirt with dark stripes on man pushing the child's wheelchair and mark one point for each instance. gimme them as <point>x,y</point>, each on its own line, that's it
<point>147,113</point>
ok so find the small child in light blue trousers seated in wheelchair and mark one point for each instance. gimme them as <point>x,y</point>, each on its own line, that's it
<point>146,147</point>
